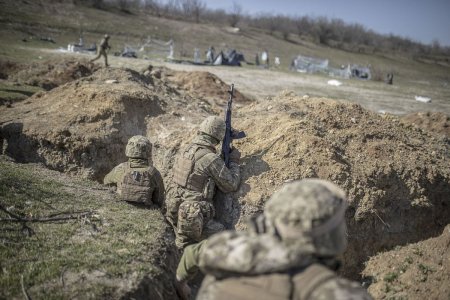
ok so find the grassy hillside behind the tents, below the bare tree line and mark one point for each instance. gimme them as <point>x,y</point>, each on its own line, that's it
<point>63,22</point>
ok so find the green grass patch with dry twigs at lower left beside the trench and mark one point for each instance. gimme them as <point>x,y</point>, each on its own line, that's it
<point>89,256</point>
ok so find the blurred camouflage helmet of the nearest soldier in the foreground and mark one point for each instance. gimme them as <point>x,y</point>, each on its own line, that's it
<point>309,213</point>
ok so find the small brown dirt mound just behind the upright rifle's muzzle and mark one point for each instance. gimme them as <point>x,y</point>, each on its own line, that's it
<point>206,85</point>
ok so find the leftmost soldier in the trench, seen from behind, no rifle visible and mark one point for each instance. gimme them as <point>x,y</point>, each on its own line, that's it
<point>137,180</point>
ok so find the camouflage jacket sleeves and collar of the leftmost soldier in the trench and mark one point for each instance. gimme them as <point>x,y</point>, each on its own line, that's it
<point>115,177</point>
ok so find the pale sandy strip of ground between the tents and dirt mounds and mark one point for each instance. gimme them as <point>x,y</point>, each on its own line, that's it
<point>262,84</point>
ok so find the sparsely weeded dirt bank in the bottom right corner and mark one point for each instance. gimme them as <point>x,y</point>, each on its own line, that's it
<point>416,271</point>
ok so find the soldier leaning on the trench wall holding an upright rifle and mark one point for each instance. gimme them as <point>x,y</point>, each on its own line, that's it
<point>197,171</point>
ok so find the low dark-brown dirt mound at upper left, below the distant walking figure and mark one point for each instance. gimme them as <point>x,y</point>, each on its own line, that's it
<point>50,74</point>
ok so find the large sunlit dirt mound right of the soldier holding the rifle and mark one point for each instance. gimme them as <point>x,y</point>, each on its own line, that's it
<point>397,177</point>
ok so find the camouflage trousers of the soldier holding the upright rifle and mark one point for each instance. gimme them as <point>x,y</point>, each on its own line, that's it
<point>195,223</point>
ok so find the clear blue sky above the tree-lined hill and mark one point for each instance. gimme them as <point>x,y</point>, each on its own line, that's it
<point>419,20</point>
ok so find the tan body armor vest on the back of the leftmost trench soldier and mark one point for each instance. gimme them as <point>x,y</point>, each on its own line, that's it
<point>136,185</point>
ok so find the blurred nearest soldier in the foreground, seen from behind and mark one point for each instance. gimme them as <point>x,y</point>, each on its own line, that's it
<point>288,252</point>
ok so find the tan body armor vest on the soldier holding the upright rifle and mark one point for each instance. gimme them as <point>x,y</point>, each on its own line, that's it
<point>184,172</point>
